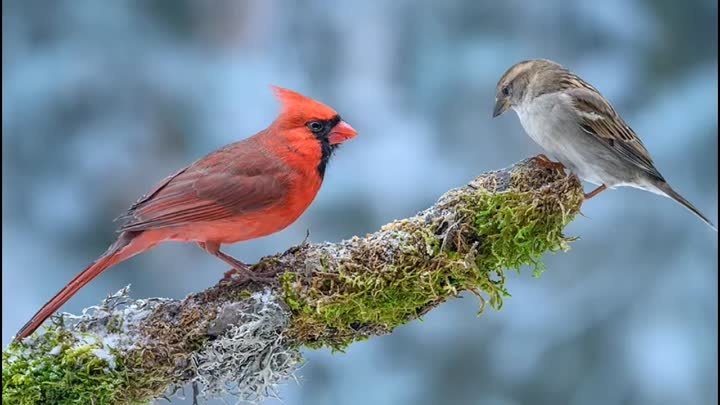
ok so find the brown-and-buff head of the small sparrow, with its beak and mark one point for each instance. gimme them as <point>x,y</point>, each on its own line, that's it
<point>523,81</point>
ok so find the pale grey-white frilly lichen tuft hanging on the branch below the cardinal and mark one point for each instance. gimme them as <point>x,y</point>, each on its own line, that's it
<point>253,356</point>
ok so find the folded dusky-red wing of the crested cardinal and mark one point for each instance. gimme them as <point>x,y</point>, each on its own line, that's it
<point>223,185</point>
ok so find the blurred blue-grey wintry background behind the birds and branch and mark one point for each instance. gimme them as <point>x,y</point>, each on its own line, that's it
<point>102,99</point>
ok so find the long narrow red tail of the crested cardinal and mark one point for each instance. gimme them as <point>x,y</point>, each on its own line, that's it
<point>127,245</point>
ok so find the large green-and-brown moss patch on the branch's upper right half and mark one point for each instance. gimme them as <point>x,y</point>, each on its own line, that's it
<point>493,231</point>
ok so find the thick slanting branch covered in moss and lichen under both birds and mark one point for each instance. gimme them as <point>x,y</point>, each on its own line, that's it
<point>244,339</point>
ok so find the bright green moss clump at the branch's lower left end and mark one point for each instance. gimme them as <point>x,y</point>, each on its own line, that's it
<point>72,374</point>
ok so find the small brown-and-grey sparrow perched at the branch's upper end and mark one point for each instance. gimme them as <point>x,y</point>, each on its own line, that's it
<point>579,128</point>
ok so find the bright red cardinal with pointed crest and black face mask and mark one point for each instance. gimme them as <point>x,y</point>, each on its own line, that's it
<point>243,191</point>
